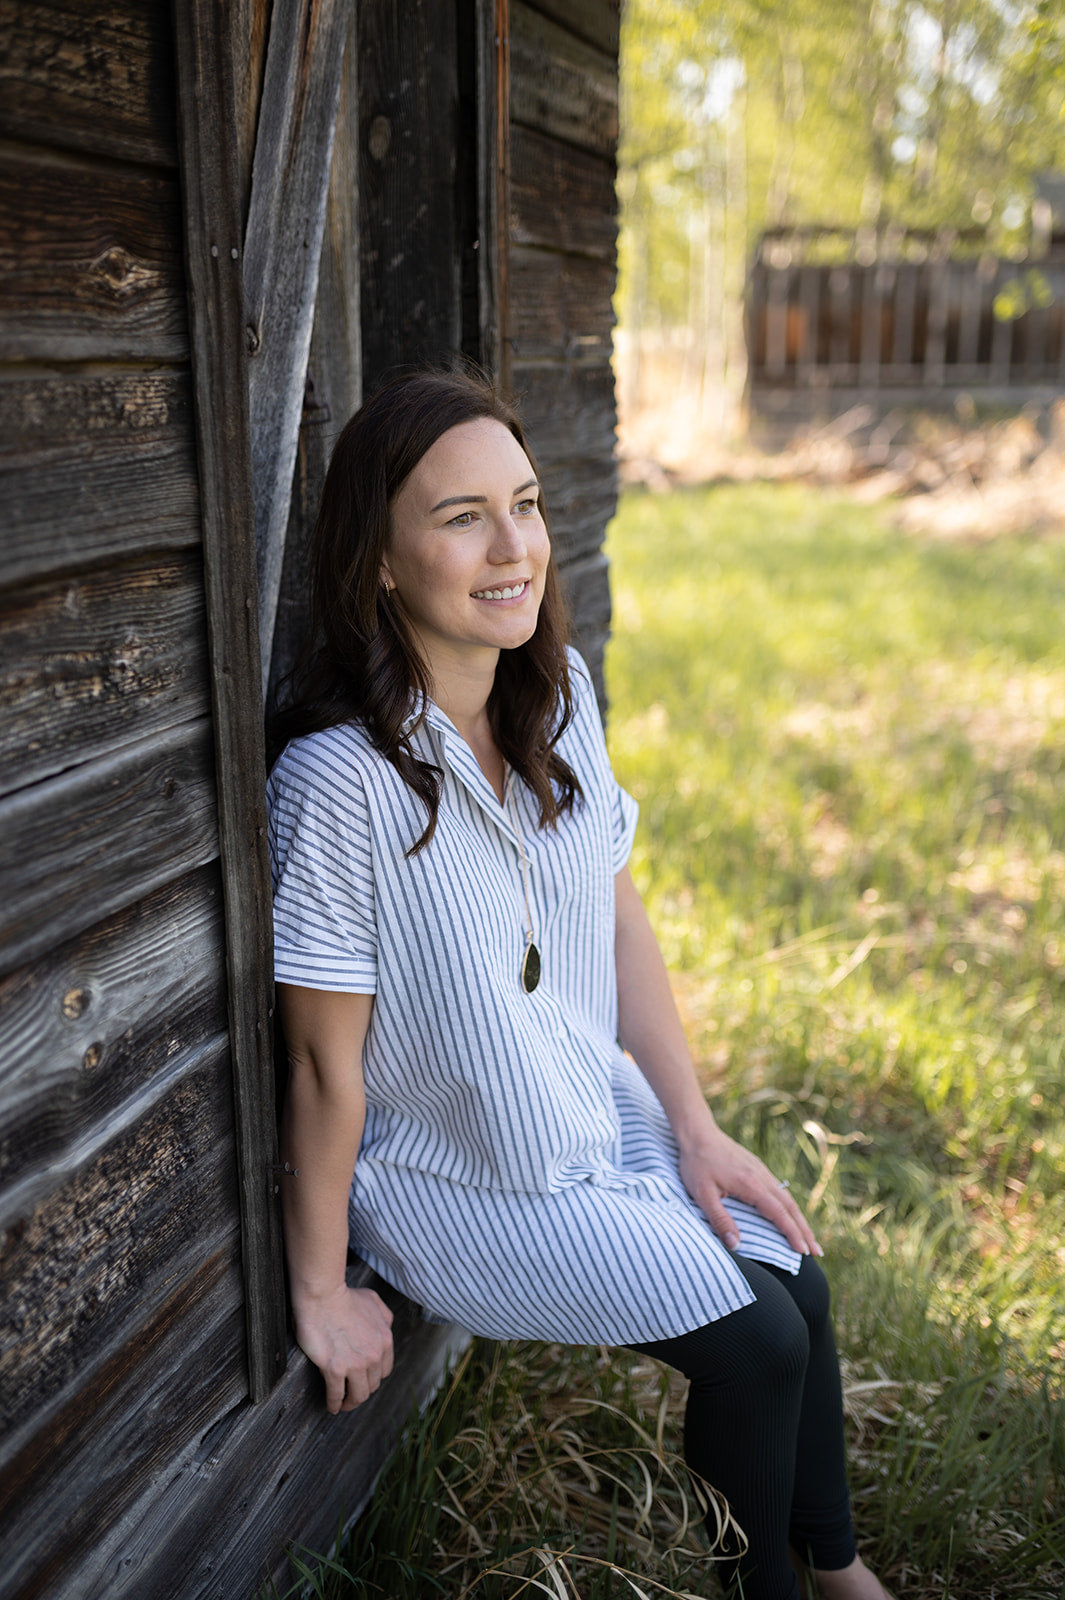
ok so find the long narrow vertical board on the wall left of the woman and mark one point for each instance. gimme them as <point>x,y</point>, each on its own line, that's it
<point>213,210</point>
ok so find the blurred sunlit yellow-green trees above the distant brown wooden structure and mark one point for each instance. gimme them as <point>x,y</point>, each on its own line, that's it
<point>931,114</point>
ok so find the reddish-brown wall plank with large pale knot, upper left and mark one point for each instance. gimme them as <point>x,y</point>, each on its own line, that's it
<point>90,262</point>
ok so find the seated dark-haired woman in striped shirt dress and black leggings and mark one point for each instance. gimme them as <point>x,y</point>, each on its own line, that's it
<point>460,953</point>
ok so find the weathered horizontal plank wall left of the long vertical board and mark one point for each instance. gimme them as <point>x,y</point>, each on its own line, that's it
<point>130,1447</point>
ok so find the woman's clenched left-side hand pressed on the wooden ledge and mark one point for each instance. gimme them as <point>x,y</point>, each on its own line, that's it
<point>348,1335</point>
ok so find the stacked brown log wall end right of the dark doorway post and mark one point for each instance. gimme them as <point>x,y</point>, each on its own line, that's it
<point>560,279</point>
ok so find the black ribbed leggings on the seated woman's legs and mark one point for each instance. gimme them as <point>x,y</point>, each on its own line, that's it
<point>765,1426</point>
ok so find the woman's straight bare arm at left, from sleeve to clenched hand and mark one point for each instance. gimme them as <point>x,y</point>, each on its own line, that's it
<point>345,1332</point>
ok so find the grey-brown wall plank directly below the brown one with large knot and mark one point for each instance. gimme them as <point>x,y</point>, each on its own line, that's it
<point>95,468</point>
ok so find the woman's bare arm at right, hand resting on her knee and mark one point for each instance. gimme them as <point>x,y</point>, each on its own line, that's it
<point>712,1166</point>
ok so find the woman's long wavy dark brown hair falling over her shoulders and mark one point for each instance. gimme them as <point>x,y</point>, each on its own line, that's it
<point>364,662</point>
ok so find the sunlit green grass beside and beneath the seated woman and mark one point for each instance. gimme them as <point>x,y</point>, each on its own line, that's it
<point>850,754</point>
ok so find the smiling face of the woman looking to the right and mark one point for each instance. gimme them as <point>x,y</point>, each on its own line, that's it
<point>468,553</point>
